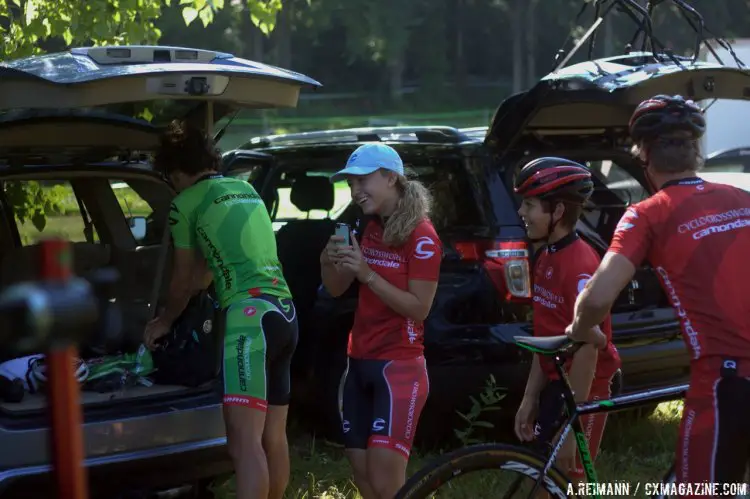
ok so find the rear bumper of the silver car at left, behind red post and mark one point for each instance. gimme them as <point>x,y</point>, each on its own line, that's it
<point>147,452</point>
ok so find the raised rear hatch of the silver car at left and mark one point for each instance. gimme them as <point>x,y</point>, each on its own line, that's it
<point>92,77</point>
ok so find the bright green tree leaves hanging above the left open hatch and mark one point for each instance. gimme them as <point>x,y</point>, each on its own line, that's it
<point>28,26</point>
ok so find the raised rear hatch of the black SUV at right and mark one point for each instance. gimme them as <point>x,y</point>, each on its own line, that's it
<point>596,98</point>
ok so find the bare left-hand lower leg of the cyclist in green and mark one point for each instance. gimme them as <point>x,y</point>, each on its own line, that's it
<point>244,439</point>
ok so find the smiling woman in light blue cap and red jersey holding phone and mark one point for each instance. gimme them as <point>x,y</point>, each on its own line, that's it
<point>397,265</point>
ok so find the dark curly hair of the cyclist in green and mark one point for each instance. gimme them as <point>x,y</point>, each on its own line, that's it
<point>187,149</point>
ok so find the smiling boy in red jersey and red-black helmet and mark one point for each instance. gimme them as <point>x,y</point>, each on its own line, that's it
<point>554,191</point>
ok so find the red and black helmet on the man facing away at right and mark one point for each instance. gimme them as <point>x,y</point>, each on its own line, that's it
<point>663,114</point>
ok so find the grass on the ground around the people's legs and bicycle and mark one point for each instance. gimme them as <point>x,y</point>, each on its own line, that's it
<point>632,452</point>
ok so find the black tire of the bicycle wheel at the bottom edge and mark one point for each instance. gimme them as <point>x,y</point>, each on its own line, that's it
<point>482,457</point>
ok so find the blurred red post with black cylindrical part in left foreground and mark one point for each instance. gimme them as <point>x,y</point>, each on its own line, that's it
<point>54,315</point>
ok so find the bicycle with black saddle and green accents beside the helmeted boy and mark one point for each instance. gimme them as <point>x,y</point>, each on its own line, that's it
<point>526,462</point>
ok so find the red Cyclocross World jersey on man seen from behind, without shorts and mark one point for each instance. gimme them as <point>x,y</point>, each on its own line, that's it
<point>696,235</point>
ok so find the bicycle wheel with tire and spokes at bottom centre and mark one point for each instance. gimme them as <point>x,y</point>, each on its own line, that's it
<point>521,468</point>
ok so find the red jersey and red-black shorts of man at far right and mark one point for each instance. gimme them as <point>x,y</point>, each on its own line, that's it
<point>696,235</point>
